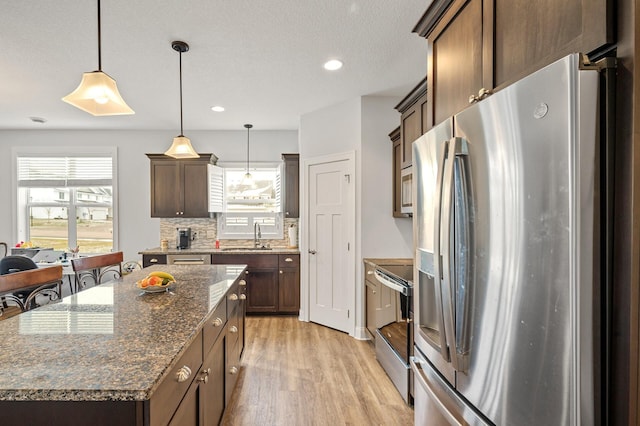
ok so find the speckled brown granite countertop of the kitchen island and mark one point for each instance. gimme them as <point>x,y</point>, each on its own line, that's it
<point>110,342</point>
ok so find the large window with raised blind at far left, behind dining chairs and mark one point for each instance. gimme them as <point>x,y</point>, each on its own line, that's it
<point>66,201</point>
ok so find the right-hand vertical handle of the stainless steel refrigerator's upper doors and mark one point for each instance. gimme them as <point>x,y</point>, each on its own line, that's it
<point>457,147</point>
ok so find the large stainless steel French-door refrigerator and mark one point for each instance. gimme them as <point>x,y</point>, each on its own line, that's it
<point>505,233</point>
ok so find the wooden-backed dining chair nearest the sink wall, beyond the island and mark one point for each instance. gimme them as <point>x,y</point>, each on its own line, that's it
<point>97,269</point>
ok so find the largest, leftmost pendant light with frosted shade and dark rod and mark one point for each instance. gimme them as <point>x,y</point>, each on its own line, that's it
<point>97,93</point>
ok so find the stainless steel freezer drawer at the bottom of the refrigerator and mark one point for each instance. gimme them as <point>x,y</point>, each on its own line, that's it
<point>435,402</point>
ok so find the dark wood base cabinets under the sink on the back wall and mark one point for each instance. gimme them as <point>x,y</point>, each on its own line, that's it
<point>272,281</point>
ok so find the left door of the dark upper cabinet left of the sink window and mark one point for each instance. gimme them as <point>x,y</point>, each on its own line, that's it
<point>165,187</point>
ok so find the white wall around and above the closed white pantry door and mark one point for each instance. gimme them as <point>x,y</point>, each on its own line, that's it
<point>361,125</point>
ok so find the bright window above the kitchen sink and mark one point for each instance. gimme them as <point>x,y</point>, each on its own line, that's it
<point>248,203</point>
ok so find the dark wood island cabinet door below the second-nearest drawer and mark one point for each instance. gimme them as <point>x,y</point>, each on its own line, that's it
<point>212,394</point>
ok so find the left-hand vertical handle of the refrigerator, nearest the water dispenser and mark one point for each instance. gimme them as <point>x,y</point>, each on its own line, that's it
<point>437,255</point>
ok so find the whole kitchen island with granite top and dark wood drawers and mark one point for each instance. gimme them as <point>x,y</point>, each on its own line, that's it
<point>113,354</point>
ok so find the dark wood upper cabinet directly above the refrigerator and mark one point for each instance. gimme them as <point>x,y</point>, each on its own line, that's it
<point>489,44</point>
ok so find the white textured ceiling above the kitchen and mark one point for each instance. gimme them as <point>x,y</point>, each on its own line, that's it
<point>261,60</point>
